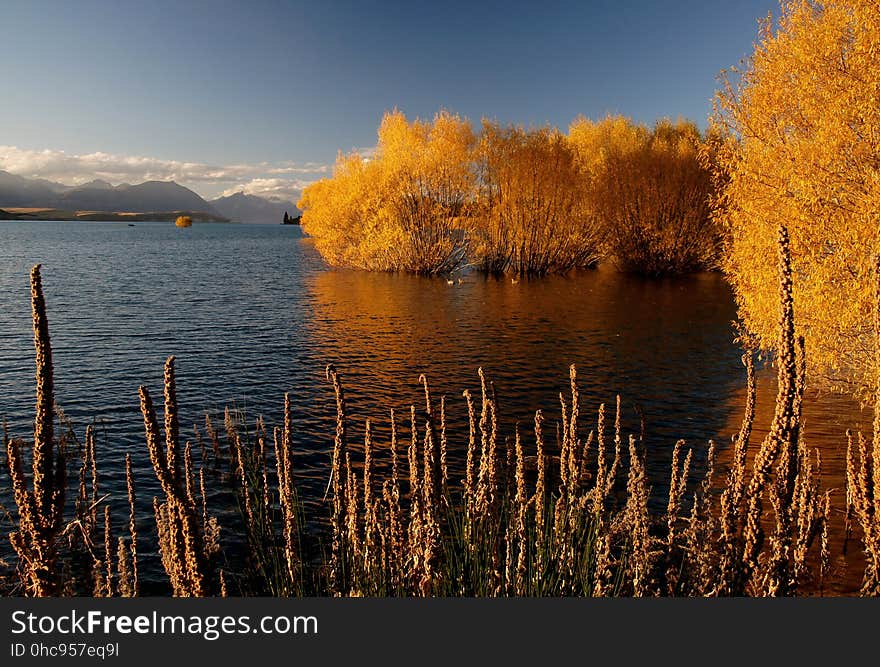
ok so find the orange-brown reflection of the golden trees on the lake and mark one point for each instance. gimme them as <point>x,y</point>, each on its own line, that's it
<point>664,346</point>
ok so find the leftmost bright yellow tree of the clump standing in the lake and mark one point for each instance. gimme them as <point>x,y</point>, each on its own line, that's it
<point>401,208</point>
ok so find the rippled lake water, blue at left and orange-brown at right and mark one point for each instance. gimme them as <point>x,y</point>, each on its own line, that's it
<point>251,312</point>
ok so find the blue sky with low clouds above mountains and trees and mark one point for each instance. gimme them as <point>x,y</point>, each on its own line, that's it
<point>262,94</point>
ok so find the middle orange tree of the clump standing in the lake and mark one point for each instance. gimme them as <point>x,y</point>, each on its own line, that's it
<point>531,216</point>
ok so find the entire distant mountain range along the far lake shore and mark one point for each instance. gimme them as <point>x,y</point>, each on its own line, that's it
<point>96,197</point>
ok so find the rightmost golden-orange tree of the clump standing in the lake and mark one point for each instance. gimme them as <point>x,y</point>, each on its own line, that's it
<point>651,191</point>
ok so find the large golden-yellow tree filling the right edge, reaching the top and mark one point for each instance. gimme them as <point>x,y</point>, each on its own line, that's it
<point>805,121</point>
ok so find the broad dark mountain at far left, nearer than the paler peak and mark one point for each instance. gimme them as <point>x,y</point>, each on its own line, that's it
<point>100,198</point>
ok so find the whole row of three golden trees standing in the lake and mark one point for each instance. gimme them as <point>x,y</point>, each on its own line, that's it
<point>435,198</point>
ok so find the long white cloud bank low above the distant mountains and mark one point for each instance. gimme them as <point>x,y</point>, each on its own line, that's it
<point>208,180</point>
